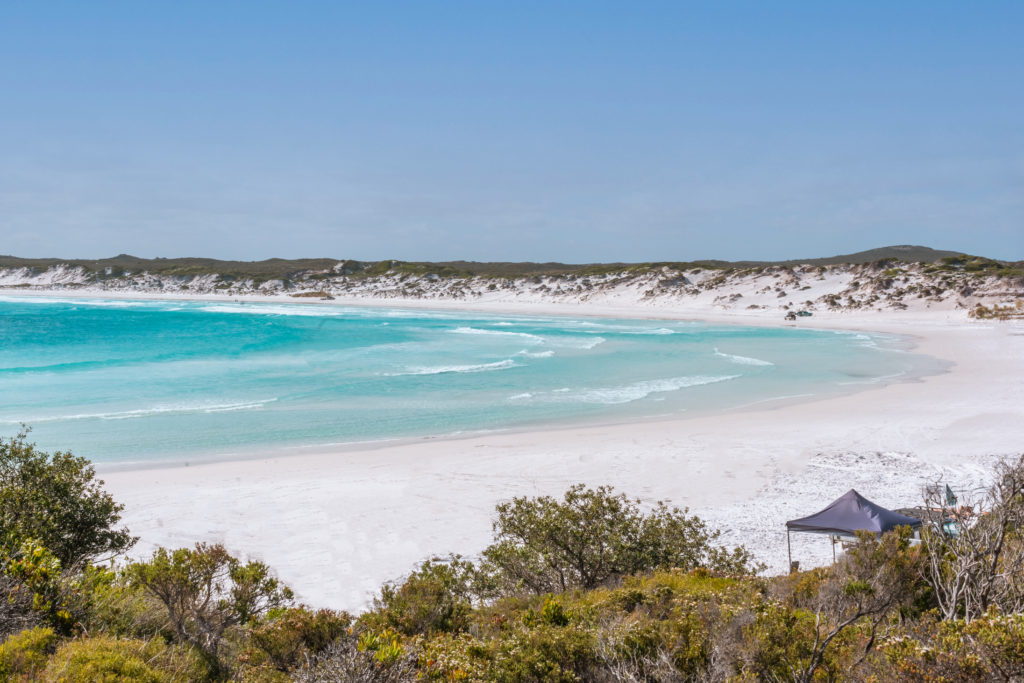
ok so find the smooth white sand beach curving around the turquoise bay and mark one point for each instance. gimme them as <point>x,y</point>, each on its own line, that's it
<point>338,523</point>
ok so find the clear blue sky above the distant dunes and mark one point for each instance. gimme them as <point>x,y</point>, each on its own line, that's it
<point>509,132</point>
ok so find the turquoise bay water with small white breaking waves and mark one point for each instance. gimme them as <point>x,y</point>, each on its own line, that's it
<point>136,382</point>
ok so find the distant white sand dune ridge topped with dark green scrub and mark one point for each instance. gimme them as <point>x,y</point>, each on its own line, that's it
<point>886,279</point>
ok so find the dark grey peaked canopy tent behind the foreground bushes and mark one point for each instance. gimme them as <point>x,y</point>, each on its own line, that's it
<point>848,515</point>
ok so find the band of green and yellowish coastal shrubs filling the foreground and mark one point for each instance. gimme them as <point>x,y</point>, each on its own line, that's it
<point>590,586</point>
